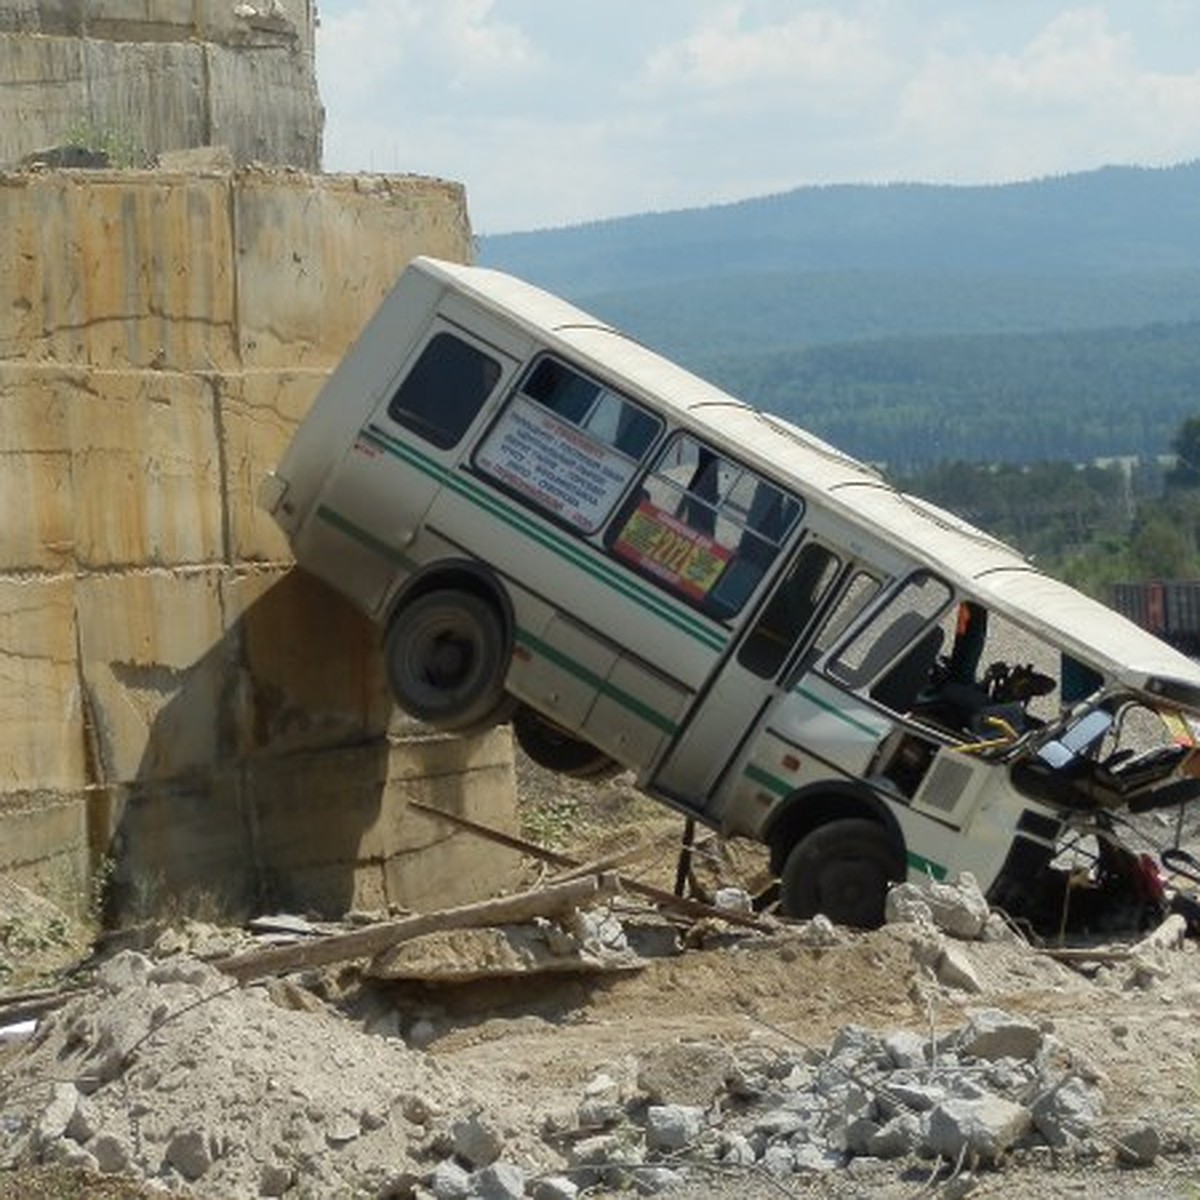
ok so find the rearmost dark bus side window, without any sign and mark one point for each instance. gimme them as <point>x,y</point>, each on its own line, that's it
<point>445,391</point>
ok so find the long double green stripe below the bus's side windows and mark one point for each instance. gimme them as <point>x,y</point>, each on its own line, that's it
<point>566,549</point>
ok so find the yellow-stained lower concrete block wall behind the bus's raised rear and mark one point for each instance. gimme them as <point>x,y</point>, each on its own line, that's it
<point>184,711</point>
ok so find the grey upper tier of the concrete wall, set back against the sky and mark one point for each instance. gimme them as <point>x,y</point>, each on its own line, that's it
<point>143,77</point>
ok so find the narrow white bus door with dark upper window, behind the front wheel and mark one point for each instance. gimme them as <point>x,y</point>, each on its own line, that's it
<point>747,682</point>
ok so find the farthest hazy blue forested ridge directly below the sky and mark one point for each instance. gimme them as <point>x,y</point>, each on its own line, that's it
<point>1112,221</point>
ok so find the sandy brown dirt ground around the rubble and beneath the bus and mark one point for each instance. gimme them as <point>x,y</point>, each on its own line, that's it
<point>527,1048</point>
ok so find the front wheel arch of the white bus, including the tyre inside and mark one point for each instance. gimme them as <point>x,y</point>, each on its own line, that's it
<point>837,851</point>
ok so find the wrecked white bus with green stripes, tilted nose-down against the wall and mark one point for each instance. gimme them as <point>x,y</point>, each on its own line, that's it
<point>555,526</point>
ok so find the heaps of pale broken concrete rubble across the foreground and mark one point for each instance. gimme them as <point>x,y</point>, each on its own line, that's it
<point>171,1072</point>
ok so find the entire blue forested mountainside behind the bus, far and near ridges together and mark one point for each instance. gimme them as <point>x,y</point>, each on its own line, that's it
<point>911,325</point>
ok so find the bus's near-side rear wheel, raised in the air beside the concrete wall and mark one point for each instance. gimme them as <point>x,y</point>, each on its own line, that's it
<point>447,656</point>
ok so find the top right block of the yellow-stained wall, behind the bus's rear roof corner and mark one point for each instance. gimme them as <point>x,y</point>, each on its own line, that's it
<point>319,255</point>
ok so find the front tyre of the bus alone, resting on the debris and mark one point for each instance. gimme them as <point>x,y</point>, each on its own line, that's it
<point>844,871</point>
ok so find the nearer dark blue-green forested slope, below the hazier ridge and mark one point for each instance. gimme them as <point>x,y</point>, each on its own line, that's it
<point>1018,399</point>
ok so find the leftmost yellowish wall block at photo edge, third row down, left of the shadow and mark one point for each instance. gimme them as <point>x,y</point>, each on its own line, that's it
<point>40,698</point>
